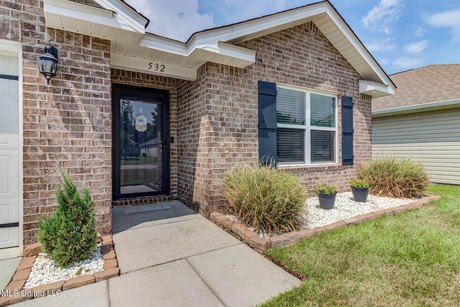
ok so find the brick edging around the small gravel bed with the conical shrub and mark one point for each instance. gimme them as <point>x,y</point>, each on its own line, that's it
<point>16,285</point>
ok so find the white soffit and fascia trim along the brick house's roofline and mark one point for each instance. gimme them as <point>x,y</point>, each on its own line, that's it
<point>125,28</point>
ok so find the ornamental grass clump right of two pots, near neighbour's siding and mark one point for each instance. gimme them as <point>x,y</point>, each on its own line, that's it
<point>392,177</point>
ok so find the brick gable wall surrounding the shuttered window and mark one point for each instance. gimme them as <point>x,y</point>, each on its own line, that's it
<point>300,56</point>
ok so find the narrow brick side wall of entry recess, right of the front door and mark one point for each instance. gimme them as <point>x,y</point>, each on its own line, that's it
<point>195,141</point>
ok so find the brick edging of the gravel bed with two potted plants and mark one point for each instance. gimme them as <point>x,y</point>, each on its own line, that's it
<point>261,244</point>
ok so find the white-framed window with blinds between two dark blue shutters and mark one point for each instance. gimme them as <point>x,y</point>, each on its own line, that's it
<point>307,127</point>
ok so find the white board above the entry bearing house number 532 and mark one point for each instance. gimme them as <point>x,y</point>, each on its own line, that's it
<point>150,67</point>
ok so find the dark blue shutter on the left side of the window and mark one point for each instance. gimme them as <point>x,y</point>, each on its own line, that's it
<point>267,122</point>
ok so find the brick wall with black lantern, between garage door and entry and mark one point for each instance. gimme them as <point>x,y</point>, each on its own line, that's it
<point>67,123</point>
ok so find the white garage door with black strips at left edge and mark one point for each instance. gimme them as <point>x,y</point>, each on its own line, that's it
<point>9,151</point>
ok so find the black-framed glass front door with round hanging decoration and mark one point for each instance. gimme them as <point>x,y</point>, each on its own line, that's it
<point>140,142</point>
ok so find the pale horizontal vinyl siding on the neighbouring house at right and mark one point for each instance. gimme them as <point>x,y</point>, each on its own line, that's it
<point>431,137</point>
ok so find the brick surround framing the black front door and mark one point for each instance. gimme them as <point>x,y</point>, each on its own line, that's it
<point>164,83</point>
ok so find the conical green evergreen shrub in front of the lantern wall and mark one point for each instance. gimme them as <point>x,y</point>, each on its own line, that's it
<point>69,235</point>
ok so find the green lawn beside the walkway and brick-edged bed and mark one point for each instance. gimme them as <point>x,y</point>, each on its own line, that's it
<point>412,259</point>
